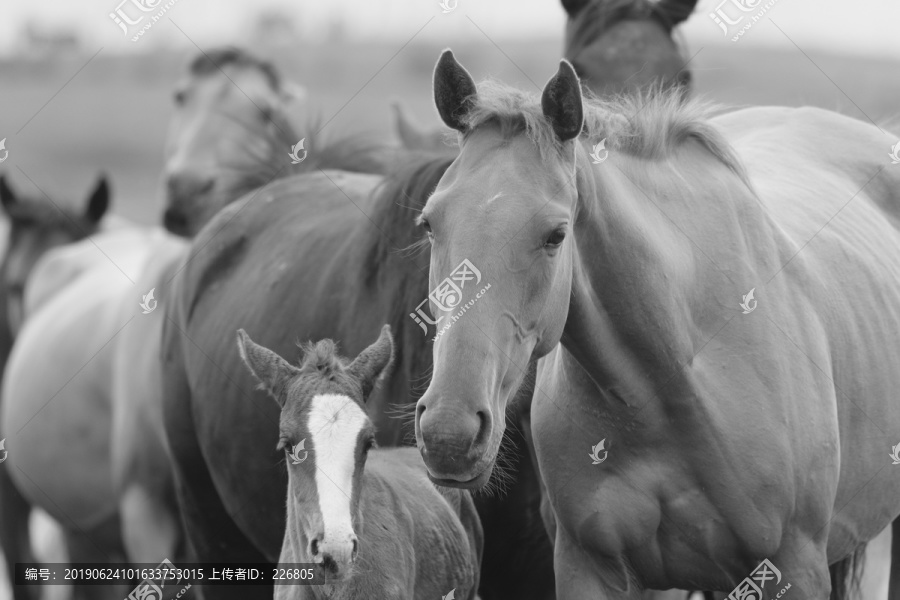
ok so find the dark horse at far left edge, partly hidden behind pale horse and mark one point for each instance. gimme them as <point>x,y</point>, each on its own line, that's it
<point>36,224</point>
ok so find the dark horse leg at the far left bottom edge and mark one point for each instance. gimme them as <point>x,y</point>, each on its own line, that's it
<point>14,537</point>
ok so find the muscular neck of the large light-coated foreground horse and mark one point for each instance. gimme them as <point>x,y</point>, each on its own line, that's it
<point>640,282</point>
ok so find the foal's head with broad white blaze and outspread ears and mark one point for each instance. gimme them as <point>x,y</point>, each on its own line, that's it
<point>326,435</point>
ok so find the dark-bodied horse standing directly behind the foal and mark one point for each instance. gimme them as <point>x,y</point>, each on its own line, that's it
<point>332,255</point>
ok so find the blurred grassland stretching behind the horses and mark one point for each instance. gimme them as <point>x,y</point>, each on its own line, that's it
<point>113,115</point>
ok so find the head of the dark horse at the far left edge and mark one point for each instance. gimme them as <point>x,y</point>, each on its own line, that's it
<point>36,226</point>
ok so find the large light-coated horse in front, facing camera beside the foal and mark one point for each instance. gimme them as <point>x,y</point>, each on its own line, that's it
<point>713,305</point>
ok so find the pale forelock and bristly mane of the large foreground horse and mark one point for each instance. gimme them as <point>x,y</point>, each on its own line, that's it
<point>650,124</point>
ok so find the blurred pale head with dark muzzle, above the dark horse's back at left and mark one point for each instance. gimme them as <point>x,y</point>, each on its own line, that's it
<point>229,131</point>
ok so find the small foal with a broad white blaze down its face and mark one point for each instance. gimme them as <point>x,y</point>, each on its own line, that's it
<point>375,528</point>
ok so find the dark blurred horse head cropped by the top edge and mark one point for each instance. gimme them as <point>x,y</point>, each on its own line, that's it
<point>624,45</point>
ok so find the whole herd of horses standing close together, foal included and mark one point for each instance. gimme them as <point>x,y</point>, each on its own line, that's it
<point>610,311</point>
